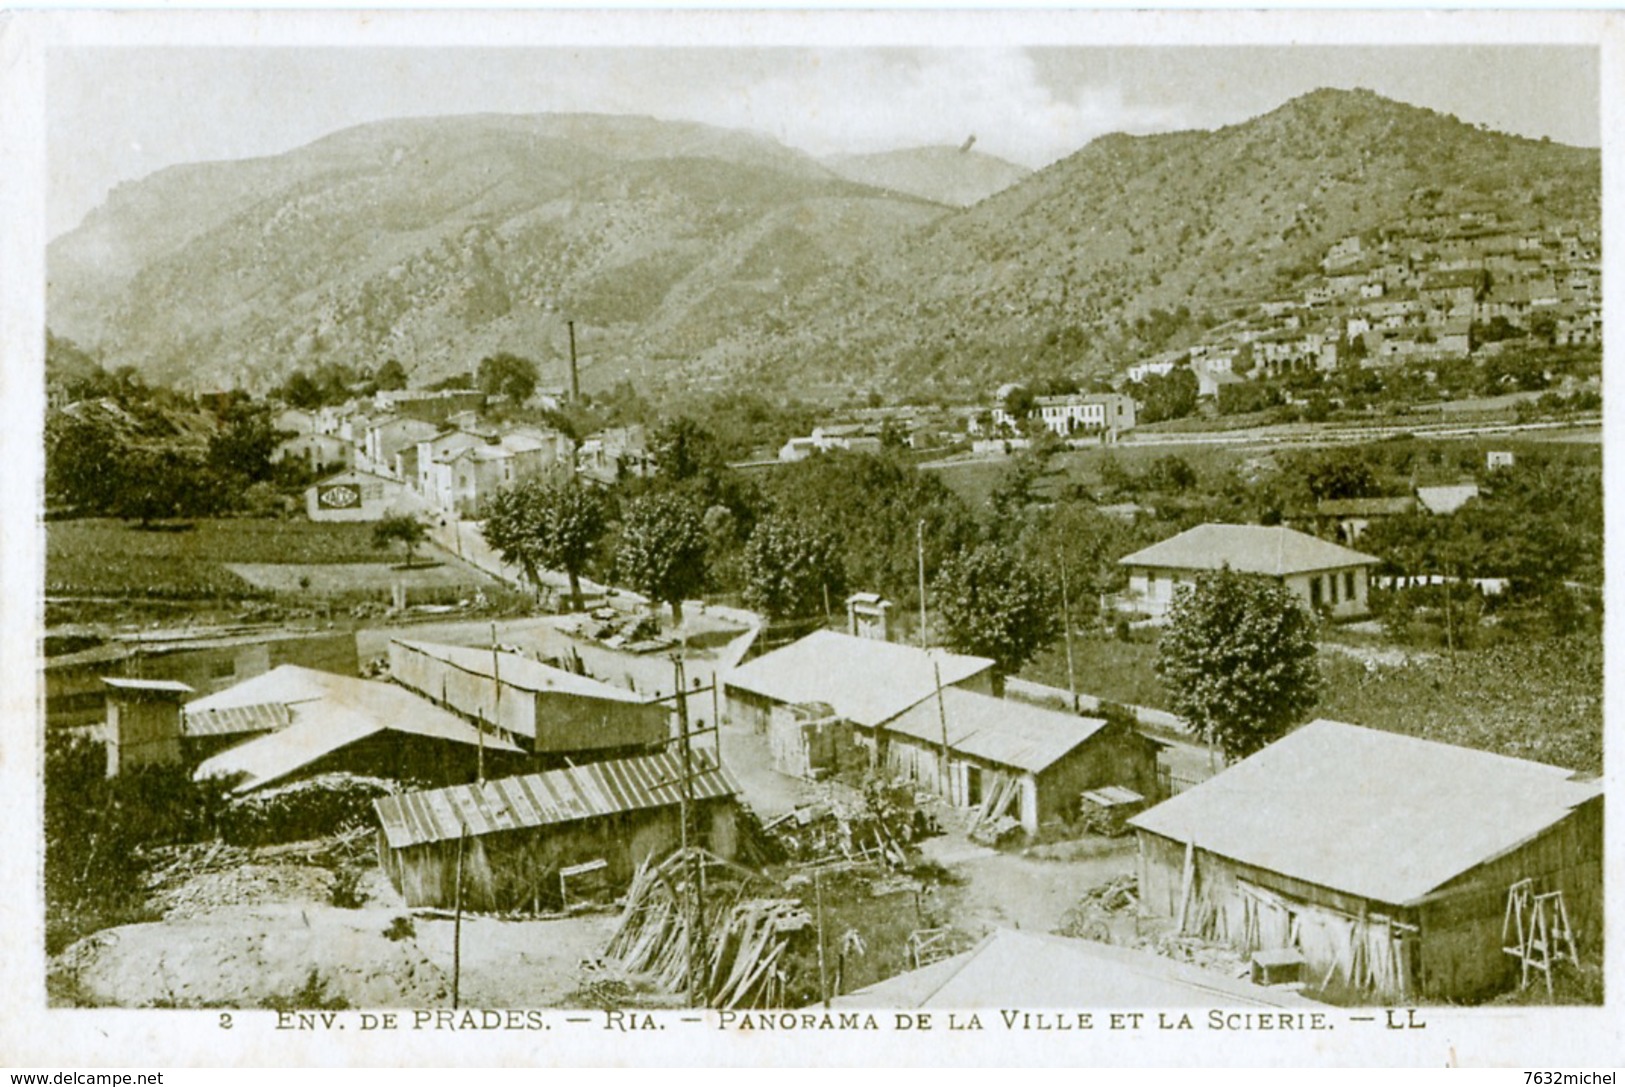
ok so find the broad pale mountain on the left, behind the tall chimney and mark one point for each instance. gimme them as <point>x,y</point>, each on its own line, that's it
<point>438,241</point>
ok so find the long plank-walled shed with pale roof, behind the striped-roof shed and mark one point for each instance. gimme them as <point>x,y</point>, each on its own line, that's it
<point>548,711</point>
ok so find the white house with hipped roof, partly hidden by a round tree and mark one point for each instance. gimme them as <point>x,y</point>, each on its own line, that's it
<point>1324,576</point>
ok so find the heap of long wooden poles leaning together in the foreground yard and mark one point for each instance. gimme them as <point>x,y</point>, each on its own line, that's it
<point>739,943</point>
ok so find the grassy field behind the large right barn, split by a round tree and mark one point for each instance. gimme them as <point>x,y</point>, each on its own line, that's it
<point>1528,699</point>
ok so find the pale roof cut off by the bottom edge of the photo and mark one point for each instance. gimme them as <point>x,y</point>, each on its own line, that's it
<point>1034,971</point>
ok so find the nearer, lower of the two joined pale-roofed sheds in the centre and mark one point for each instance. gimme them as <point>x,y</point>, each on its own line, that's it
<point>1013,758</point>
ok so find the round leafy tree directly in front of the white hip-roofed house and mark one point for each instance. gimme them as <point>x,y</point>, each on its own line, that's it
<point>1239,660</point>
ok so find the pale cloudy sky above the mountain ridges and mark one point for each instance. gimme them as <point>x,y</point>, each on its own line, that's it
<point>118,115</point>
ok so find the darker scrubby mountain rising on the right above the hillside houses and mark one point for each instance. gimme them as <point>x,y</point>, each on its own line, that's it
<point>1086,264</point>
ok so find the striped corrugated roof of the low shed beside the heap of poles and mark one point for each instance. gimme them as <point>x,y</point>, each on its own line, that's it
<point>555,797</point>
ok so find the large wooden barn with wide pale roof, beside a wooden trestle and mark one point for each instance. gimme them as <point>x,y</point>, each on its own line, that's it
<point>1380,862</point>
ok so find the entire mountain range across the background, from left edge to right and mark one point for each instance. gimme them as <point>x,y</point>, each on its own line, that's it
<point>719,258</point>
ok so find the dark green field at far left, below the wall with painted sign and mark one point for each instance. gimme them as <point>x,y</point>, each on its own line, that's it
<point>110,558</point>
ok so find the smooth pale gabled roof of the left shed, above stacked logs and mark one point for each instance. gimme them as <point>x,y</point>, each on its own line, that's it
<point>329,712</point>
